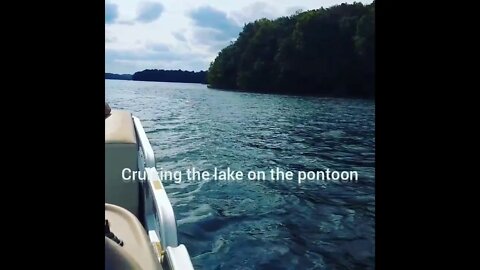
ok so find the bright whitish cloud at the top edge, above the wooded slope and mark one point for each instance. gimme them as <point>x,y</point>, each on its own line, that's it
<point>255,11</point>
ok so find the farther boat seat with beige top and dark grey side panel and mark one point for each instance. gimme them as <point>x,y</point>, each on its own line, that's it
<point>121,152</point>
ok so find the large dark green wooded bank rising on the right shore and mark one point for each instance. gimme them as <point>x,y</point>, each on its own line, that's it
<point>325,52</point>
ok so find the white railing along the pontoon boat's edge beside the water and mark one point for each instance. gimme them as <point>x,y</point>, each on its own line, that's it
<point>159,215</point>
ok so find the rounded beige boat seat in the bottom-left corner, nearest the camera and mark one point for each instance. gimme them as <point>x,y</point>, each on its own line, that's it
<point>137,251</point>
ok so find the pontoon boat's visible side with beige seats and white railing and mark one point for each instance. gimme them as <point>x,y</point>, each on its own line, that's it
<point>140,224</point>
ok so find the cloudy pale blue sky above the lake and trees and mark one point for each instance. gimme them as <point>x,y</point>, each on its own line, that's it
<point>183,34</point>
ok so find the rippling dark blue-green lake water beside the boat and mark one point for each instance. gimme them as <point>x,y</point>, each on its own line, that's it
<point>262,224</point>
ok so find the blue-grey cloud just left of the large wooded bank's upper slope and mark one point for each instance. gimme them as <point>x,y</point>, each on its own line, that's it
<point>213,28</point>
